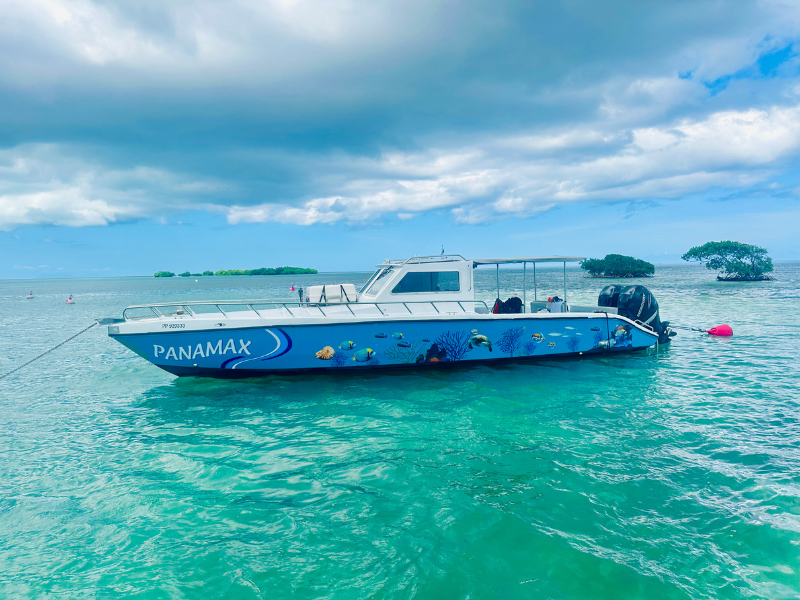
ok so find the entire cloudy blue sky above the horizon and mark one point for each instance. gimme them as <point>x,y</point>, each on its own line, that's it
<point>148,135</point>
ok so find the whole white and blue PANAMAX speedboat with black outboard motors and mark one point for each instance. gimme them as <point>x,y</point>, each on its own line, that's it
<point>420,312</point>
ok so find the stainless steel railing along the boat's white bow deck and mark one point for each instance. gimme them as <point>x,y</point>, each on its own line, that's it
<point>194,309</point>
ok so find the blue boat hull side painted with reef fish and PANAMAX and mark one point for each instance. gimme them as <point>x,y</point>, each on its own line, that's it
<point>296,349</point>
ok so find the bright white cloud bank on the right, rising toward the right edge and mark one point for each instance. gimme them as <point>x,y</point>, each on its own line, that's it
<point>728,149</point>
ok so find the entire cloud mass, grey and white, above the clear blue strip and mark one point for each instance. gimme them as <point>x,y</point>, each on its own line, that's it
<point>318,111</point>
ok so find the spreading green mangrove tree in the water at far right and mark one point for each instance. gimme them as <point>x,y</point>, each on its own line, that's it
<point>735,261</point>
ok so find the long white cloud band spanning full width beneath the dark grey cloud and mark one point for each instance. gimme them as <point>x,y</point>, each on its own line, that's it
<point>493,178</point>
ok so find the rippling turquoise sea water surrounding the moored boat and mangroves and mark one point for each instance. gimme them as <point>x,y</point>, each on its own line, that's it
<point>656,475</point>
